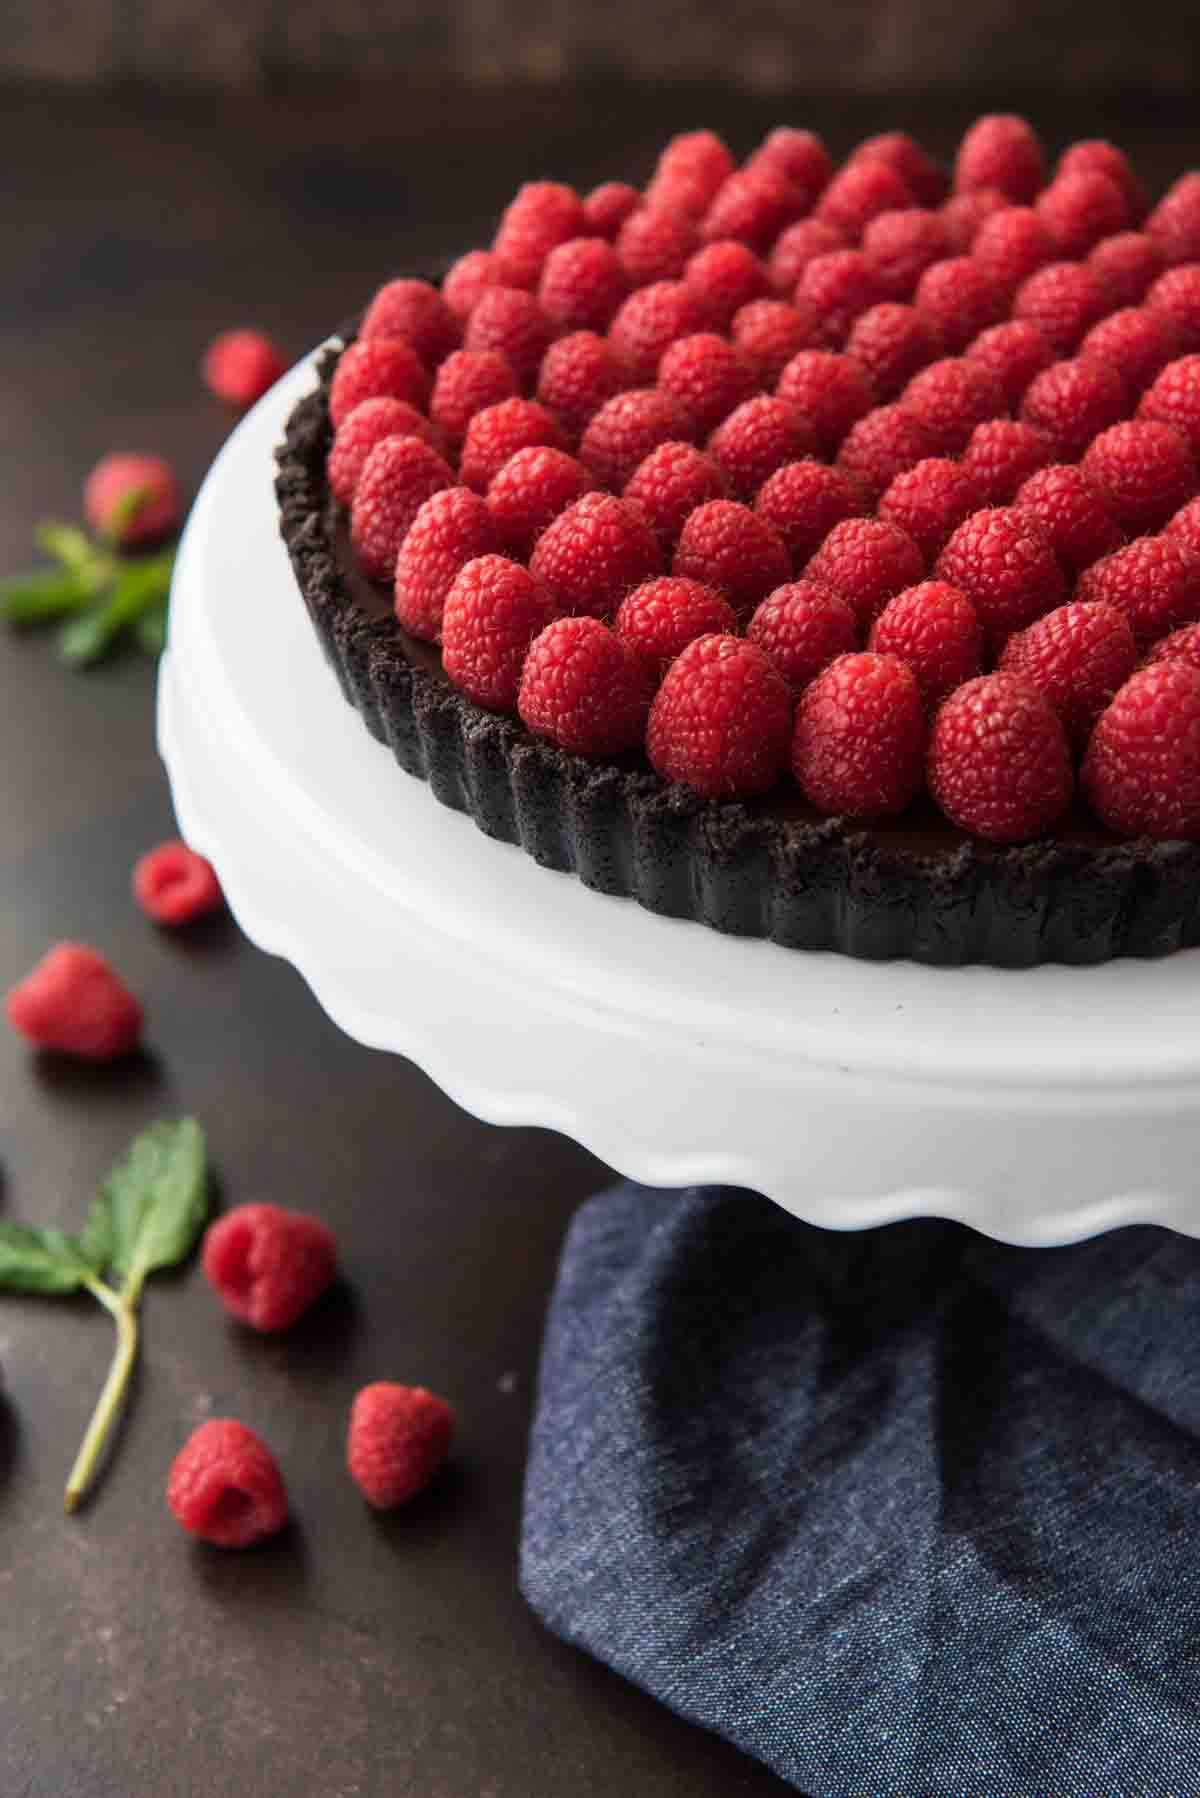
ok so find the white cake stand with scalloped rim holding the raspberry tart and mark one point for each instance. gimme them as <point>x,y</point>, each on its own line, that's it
<point>1039,1107</point>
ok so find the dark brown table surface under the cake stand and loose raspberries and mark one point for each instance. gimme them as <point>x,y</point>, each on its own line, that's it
<point>355,1657</point>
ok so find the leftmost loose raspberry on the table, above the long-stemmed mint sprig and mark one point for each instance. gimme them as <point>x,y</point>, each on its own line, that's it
<point>73,1002</point>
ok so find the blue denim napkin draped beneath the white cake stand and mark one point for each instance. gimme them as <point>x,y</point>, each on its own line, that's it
<point>904,1515</point>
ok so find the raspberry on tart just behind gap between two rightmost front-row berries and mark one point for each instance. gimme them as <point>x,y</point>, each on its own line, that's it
<point>1077,655</point>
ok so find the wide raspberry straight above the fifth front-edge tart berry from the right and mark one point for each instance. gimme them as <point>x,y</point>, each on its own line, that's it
<point>595,553</point>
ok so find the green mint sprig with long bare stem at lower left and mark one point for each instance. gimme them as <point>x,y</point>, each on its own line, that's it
<point>148,1216</point>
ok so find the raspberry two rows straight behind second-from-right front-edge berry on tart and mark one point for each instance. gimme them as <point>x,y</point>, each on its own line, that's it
<point>1007,569</point>
